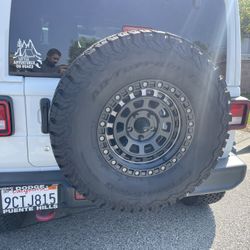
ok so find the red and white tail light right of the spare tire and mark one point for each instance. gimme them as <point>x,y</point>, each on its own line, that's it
<point>239,111</point>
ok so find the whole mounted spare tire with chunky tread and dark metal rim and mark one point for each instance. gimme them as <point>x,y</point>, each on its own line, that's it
<point>139,120</point>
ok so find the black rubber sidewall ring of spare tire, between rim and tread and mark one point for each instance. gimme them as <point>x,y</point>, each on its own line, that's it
<point>94,171</point>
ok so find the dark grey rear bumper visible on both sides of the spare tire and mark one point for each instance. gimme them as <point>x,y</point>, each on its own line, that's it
<point>229,173</point>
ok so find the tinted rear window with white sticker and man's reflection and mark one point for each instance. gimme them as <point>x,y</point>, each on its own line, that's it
<point>46,36</point>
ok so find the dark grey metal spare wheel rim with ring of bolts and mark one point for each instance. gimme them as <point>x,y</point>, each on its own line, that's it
<point>145,128</point>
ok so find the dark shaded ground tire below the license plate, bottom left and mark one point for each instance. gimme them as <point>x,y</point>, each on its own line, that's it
<point>10,222</point>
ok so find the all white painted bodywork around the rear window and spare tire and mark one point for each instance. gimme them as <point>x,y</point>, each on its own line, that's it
<point>28,146</point>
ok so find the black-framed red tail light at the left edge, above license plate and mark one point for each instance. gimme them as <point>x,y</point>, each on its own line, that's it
<point>6,121</point>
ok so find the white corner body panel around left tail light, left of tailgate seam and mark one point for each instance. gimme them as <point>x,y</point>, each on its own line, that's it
<point>13,149</point>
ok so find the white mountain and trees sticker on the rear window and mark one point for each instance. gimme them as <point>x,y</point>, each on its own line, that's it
<point>26,56</point>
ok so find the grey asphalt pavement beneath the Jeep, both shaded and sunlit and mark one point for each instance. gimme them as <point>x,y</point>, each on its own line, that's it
<point>224,225</point>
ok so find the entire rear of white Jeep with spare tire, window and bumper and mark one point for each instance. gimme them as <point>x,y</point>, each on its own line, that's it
<point>131,103</point>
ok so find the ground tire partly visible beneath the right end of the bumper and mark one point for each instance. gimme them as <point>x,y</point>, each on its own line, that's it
<point>202,200</point>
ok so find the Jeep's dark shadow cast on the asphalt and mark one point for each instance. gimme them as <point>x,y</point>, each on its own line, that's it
<point>176,227</point>
